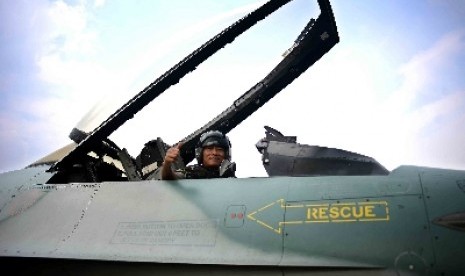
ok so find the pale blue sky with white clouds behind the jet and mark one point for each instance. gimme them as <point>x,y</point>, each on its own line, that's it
<point>393,88</point>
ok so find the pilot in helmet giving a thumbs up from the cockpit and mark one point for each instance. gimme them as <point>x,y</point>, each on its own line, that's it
<point>213,154</point>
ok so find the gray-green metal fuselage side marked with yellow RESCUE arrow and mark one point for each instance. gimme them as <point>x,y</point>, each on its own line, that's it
<point>337,222</point>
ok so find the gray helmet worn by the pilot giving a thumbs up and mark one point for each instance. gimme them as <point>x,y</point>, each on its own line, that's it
<point>213,138</point>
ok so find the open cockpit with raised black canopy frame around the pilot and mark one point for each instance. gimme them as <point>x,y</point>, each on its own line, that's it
<point>94,157</point>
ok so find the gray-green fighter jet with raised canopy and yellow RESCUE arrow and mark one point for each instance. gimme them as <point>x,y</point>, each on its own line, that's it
<point>91,208</point>
